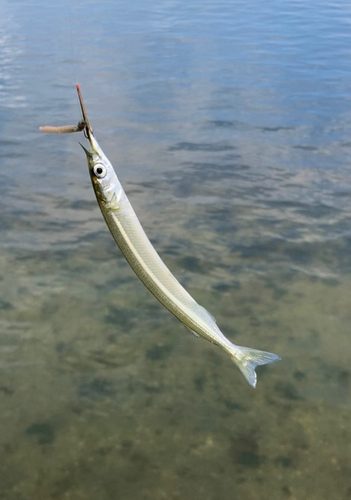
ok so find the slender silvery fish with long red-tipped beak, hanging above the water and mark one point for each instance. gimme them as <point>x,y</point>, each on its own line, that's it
<point>144,260</point>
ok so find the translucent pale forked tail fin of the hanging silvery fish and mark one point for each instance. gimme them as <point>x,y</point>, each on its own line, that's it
<point>247,359</point>
